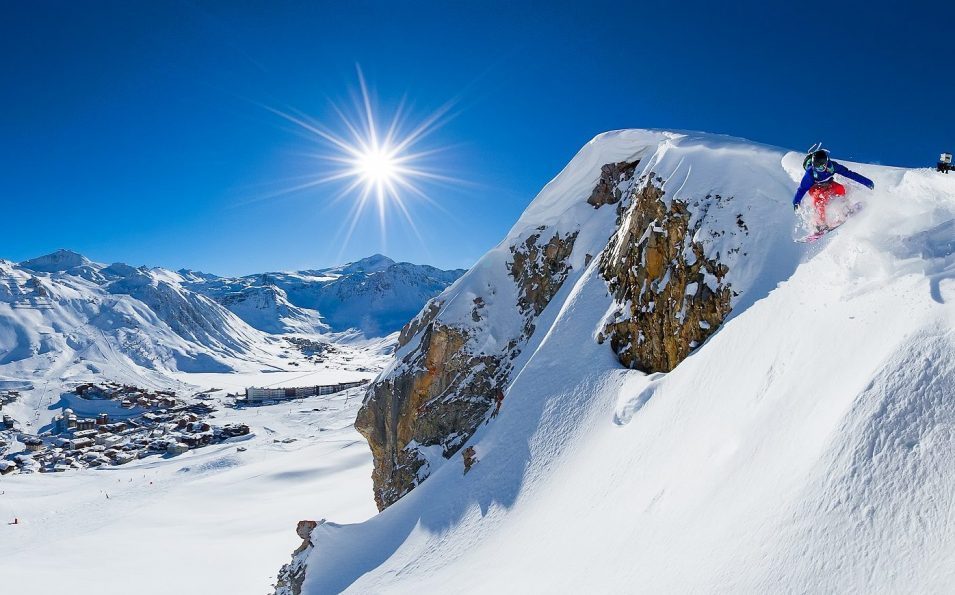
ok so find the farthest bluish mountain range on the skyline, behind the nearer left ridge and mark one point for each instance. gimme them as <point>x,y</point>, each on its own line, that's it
<point>374,296</point>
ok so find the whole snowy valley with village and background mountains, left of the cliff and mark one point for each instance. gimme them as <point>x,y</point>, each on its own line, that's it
<point>182,487</point>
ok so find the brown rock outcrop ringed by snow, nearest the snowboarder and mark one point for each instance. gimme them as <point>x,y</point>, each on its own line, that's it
<point>670,296</point>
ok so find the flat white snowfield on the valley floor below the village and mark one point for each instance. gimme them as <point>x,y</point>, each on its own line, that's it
<point>213,520</point>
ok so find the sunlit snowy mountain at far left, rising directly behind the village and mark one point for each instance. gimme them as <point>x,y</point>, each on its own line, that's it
<point>65,307</point>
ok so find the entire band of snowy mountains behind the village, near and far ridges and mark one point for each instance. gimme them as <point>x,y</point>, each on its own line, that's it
<point>66,314</point>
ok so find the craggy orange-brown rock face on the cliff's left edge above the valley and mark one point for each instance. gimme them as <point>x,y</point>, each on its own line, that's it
<point>446,383</point>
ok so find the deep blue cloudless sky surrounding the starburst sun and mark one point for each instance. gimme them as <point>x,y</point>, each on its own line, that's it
<point>135,132</point>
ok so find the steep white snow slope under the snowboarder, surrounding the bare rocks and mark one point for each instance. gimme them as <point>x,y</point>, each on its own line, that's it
<point>805,447</point>
